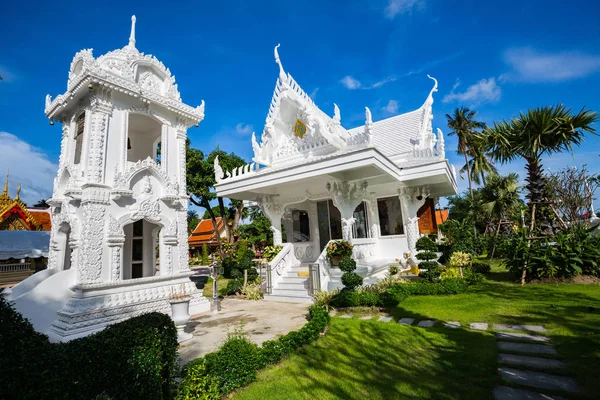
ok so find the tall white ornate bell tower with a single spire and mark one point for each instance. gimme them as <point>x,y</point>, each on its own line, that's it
<point>118,244</point>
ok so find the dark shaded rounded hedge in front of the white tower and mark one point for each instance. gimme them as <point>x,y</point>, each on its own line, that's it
<point>133,359</point>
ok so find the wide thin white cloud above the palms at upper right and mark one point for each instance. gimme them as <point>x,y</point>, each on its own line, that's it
<point>529,65</point>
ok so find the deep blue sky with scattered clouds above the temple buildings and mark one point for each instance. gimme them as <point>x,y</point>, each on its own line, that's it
<point>495,57</point>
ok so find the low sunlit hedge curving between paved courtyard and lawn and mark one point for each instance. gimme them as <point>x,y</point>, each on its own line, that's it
<point>237,361</point>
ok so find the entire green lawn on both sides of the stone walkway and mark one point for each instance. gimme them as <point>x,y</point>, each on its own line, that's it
<point>368,359</point>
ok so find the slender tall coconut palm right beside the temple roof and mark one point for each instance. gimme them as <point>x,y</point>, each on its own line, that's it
<point>466,129</point>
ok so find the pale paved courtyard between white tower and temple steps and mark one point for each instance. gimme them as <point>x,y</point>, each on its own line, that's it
<point>261,321</point>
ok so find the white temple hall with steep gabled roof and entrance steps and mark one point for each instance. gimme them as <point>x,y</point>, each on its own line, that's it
<point>323,182</point>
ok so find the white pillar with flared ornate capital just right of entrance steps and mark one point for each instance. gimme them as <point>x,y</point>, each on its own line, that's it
<point>346,197</point>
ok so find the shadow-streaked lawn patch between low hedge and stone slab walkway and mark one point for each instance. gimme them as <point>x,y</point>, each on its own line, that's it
<point>360,359</point>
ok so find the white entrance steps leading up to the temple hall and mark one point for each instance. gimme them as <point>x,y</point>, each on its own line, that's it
<point>293,286</point>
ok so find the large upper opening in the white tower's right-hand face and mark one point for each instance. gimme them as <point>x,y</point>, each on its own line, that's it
<point>144,136</point>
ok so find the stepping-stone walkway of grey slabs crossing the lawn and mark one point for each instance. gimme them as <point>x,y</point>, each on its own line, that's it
<point>526,359</point>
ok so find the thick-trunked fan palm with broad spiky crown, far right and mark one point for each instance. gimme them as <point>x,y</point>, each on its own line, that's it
<point>531,135</point>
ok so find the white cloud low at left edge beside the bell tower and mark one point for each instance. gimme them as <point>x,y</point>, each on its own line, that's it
<point>29,167</point>
